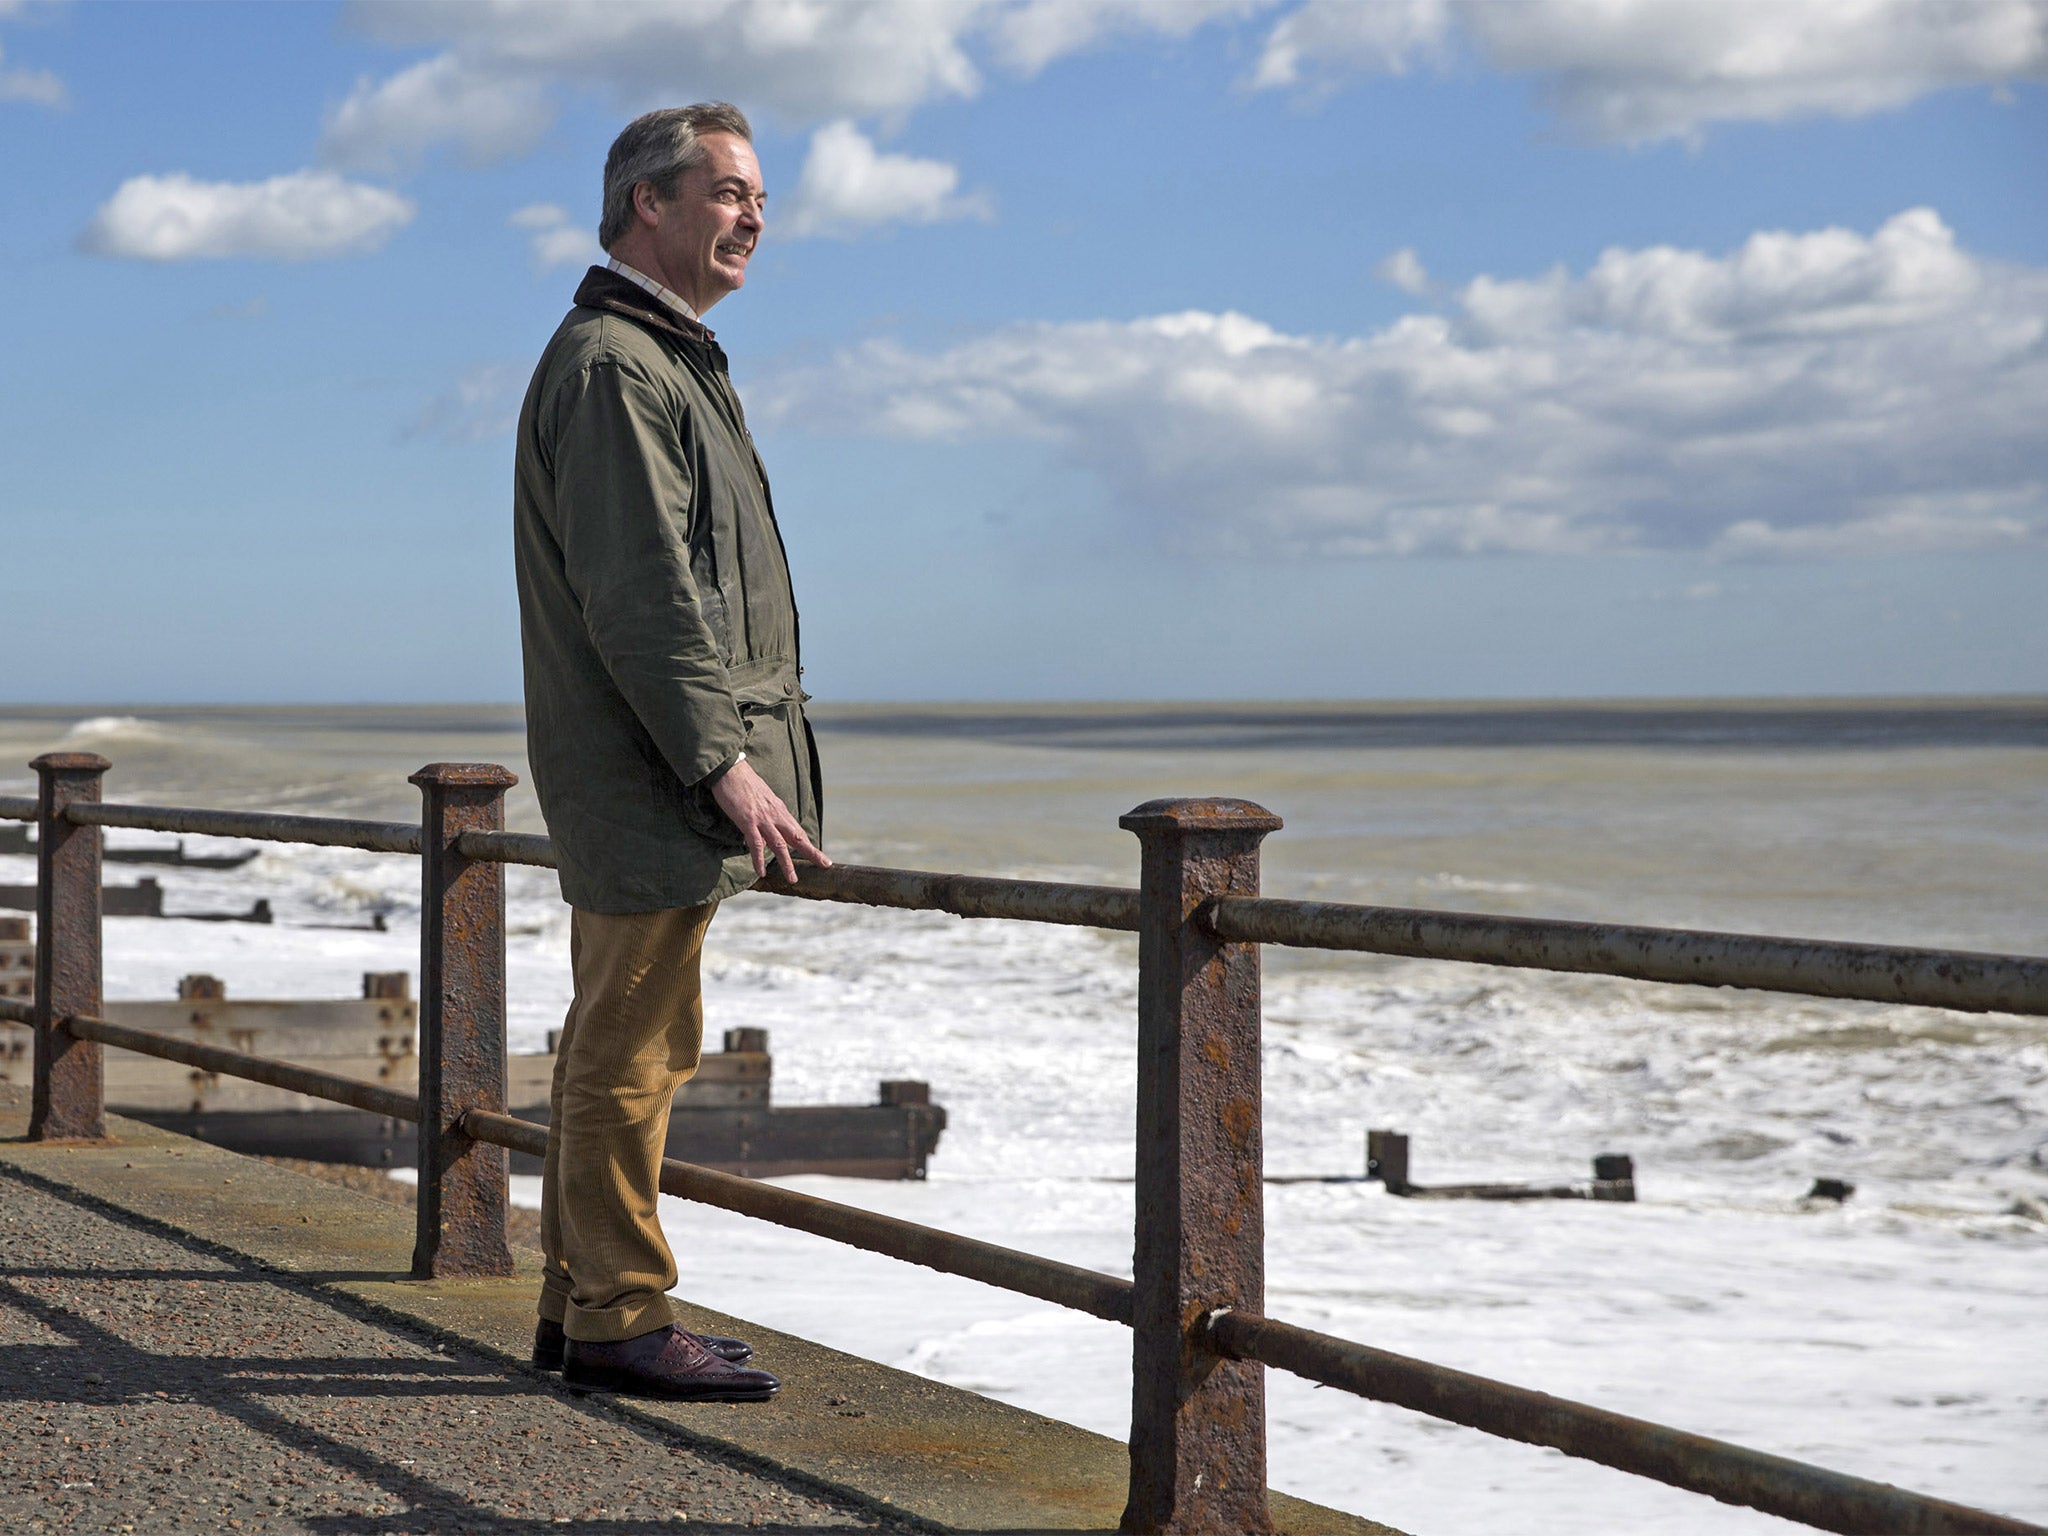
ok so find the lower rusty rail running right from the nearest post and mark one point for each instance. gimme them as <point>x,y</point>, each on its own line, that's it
<point>1779,1486</point>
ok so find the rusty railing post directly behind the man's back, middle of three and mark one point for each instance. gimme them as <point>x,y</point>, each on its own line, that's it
<point>464,1185</point>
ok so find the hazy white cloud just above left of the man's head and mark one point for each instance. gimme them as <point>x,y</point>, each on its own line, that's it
<point>486,114</point>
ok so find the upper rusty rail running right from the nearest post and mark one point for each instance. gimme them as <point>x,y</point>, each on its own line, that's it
<point>1979,984</point>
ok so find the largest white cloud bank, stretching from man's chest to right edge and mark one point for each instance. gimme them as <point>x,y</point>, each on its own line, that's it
<point>1807,394</point>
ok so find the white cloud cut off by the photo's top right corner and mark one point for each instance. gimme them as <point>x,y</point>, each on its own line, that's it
<point>1641,71</point>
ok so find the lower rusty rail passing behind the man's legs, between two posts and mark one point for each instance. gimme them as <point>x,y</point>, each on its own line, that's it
<point>1064,1285</point>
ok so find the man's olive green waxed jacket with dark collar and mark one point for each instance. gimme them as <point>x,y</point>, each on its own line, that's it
<point>656,615</point>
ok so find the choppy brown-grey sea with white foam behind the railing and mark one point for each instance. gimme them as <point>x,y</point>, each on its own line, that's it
<point>1897,1334</point>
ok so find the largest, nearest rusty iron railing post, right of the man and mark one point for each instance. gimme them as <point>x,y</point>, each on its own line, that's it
<point>1197,1420</point>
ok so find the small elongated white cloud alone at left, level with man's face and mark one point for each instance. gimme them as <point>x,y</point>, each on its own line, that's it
<point>290,218</point>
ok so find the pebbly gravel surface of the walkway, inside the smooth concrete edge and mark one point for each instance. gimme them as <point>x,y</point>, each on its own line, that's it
<point>157,1388</point>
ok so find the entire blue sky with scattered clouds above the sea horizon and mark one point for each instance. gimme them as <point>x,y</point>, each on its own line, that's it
<point>1099,349</point>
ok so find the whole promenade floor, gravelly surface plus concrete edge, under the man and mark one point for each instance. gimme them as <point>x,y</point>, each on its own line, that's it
<point>194,1340</point>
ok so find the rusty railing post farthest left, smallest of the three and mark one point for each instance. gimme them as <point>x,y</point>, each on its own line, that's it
<point>69,1099</point>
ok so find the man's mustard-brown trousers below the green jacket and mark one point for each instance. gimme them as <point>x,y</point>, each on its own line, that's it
<point>632,1039</point>
